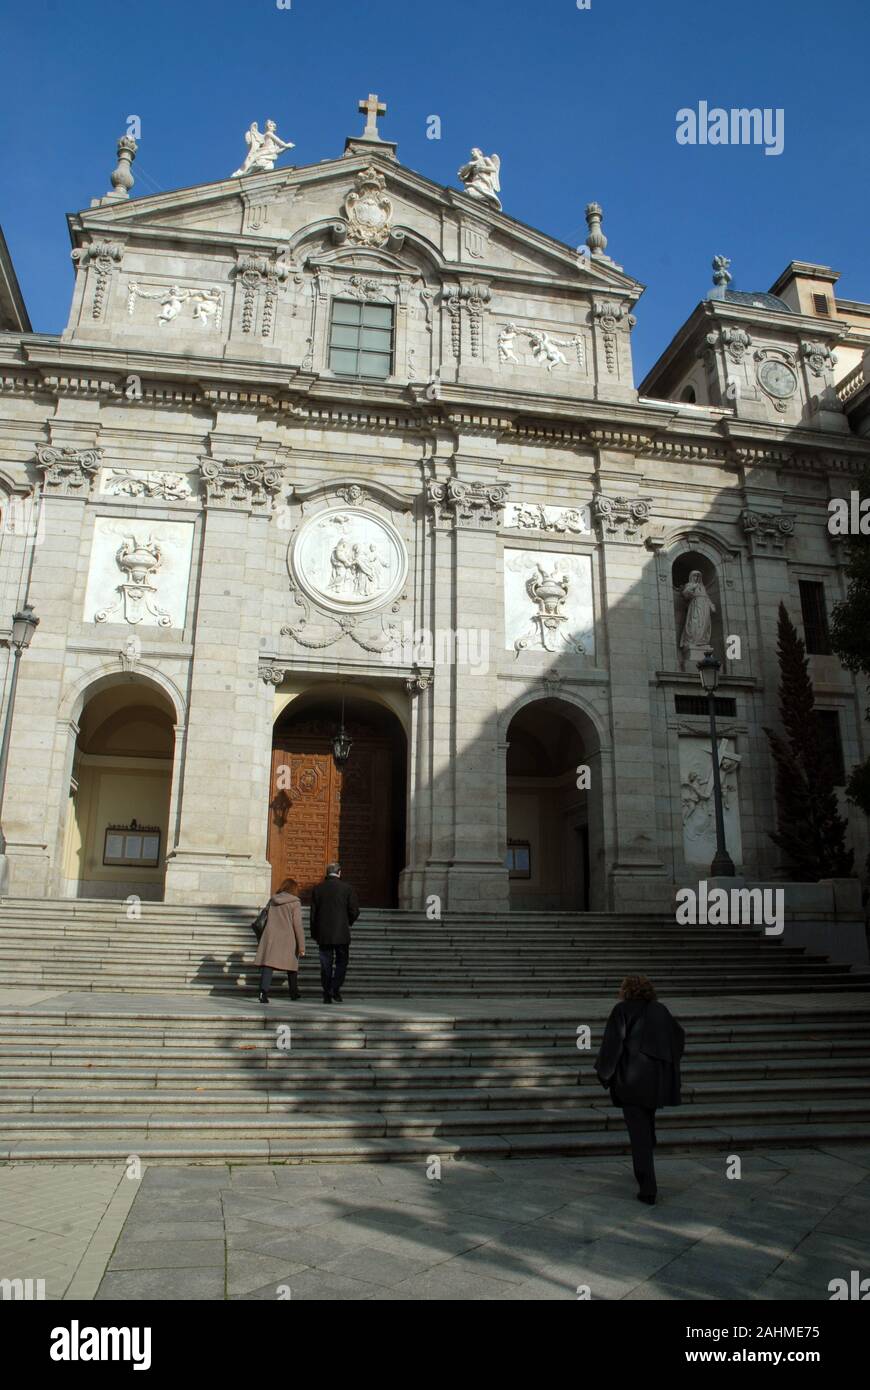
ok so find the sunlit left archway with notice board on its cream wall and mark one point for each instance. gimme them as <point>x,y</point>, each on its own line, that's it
<point>120,792</point>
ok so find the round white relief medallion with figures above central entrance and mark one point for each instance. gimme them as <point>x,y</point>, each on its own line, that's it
<point>348,561</point>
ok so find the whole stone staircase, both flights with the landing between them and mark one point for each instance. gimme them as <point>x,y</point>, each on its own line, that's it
<point>145,1053</point>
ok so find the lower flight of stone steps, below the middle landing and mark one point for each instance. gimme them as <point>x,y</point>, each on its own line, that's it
<point>170,1088</point>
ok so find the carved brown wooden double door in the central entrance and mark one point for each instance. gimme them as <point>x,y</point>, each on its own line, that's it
<point>320,814</point>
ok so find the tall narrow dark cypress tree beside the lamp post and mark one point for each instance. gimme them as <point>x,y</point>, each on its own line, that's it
<point>811,832</point>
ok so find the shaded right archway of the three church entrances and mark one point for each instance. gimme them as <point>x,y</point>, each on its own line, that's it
<point>555,833</point>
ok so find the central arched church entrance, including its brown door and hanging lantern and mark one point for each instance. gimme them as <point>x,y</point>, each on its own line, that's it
<point>320,812</point>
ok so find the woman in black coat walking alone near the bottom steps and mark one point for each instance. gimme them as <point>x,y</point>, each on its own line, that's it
<point>639,1063</point>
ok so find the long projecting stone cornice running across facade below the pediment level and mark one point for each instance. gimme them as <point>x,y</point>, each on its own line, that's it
<point>41,366</point>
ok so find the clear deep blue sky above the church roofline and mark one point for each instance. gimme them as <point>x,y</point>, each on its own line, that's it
<point>580,105</point>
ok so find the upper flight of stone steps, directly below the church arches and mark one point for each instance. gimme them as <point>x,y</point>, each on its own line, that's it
<point>81,945</point>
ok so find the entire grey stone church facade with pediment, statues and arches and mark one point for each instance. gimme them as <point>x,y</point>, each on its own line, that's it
<point>337,452</point>
